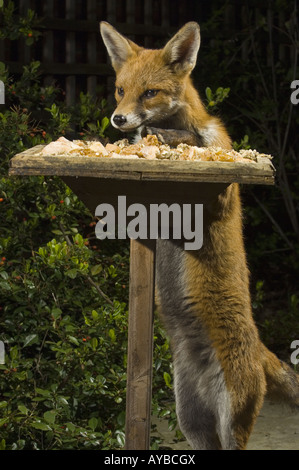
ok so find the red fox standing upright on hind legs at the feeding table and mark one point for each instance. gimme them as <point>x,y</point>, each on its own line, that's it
<point>222,370</point>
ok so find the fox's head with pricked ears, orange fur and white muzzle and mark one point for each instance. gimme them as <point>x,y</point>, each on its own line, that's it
<point>150,84</point>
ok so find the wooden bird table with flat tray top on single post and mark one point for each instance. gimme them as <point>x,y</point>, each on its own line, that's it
<point>98,180</point>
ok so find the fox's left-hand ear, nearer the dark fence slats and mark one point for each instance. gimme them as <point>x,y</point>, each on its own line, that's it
<point>119,48</point>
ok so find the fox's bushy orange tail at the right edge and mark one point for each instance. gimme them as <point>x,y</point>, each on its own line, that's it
<point>282,381</point>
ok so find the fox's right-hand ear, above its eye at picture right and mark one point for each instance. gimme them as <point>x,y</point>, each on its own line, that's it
<point>181,51</point>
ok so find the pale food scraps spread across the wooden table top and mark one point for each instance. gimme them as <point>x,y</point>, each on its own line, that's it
<point>148,148</point>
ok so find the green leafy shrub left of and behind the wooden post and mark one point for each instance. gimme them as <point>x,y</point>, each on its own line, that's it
<point>63,293</point>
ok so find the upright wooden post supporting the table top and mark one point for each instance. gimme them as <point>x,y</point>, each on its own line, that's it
<point>140,344</point>
